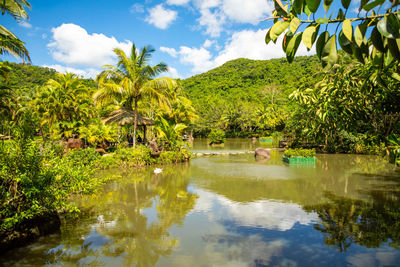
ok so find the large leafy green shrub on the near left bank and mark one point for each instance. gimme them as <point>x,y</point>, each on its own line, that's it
<point>31,186</point>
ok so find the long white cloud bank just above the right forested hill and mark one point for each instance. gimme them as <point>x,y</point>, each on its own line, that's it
<point>243,44</point>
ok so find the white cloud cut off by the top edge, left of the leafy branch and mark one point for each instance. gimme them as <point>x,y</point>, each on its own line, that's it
<point>247,11</point>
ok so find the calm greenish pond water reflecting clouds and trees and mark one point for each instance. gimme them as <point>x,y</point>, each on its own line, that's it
<point>234,211</point>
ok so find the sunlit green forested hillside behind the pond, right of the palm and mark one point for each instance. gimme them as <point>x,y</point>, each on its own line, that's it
<point>246,96</point>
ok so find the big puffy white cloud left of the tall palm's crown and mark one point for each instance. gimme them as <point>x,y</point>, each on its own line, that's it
<point>73,45</point>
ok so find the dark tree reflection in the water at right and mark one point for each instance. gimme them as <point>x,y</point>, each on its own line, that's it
<point>369,223</point>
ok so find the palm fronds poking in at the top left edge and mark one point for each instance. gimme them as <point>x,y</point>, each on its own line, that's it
<point>9,43</point>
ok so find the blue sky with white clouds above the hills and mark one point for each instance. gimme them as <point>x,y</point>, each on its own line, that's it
<point>191,36</point>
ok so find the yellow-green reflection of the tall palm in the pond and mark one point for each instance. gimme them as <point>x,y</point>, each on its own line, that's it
<point>125,234</point>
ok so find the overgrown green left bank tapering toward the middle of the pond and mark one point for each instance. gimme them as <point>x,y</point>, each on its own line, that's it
<point>37,181</point>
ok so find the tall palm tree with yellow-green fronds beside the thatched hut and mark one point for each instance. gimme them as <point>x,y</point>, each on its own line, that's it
<point>130,81</point>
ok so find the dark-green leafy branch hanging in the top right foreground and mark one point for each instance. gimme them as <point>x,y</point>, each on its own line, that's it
<point>375,36</point>
